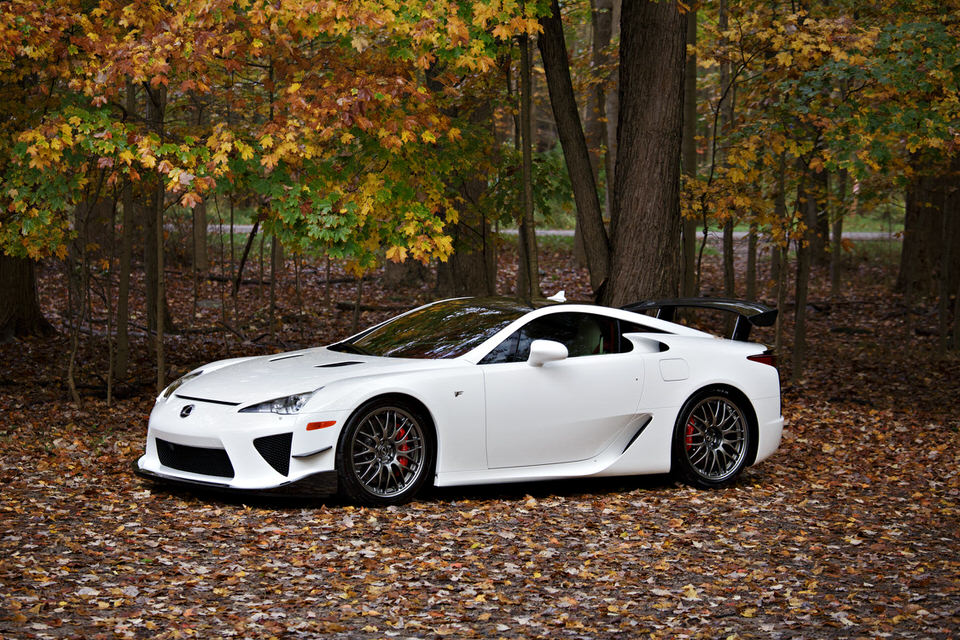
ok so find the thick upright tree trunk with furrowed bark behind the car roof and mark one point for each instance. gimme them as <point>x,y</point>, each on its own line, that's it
<point>646,251</point>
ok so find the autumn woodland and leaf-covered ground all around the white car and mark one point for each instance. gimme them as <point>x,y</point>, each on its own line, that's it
<point>382,154</point>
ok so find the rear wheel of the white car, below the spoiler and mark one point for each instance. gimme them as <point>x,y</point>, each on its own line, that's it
<point>711,439</point>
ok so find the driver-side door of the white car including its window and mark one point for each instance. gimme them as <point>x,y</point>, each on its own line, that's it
<point>563,411</point>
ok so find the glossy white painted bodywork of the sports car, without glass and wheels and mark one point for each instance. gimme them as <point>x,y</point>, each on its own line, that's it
<point>610,414</point>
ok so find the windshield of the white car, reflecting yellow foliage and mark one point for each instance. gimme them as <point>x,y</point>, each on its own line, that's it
<point>447,329</point>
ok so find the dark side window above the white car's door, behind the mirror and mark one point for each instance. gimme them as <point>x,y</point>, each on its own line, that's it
<point>583,334</point>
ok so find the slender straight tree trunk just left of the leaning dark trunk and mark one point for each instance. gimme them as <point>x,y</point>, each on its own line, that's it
<point>528,272</point>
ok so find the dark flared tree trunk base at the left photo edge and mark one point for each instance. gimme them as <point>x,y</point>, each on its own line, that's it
<point>20,314</point>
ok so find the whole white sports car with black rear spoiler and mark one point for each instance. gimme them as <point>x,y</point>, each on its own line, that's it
<point>478,390</point>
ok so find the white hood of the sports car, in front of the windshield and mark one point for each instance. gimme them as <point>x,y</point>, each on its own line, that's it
<point>253,380</point>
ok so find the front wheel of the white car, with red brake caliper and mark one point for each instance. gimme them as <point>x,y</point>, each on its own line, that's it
<point>385,454</point>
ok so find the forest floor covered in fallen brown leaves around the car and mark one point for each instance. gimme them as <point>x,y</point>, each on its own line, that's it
<point>849,531</point>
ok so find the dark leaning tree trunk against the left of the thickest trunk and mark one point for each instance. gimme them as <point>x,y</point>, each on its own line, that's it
<point>553,51</point>
